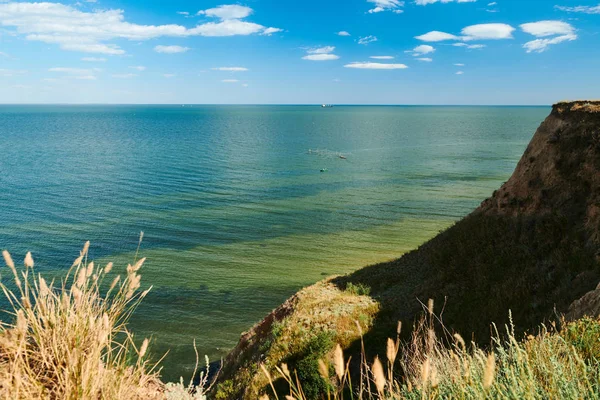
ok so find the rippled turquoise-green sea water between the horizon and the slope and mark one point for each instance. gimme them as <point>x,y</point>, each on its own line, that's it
<point>236,212</point>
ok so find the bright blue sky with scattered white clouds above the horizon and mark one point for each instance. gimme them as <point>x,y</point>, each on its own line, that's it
<point>463,52</point>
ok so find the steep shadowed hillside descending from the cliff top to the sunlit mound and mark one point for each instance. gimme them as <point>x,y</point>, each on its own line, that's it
<point>533,248</point>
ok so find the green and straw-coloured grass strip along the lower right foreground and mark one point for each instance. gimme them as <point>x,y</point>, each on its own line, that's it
<point>550,365</point>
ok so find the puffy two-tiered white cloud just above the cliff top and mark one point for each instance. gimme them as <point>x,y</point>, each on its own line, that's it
<point>548,33</point>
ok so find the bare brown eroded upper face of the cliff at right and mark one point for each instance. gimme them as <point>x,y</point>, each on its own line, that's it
<point>559,172</point>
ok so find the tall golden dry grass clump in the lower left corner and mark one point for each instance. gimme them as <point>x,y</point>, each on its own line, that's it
<point>70,341</point>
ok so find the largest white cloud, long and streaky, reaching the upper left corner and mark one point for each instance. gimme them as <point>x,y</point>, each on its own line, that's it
<point>76,30</point>
